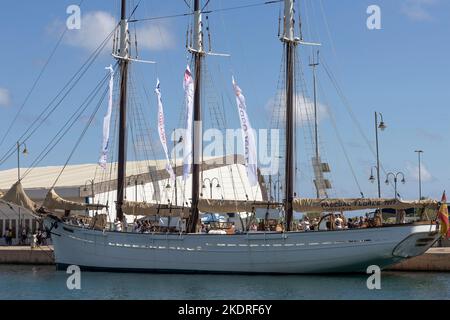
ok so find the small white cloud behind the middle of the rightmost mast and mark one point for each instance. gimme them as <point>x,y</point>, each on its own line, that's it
<point>304,109</point>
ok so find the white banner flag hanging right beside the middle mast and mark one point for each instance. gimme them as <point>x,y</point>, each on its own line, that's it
<point>188,84</point>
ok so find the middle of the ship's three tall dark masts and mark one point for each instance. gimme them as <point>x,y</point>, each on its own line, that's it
<point>198,53</point>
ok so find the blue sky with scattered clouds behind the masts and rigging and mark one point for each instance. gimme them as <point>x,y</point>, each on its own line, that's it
<point>401,71</point>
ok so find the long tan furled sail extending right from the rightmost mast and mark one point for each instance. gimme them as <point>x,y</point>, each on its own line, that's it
<point>334,205</point>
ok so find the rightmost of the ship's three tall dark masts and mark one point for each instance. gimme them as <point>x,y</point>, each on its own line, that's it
<point>290,48</point>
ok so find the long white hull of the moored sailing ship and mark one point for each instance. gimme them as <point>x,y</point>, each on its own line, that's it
<point>277,253</point>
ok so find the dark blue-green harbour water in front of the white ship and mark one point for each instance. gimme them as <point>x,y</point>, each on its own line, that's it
<point>44,283</point>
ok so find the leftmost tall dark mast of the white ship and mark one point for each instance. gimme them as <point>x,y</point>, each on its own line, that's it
<point>124,62</point>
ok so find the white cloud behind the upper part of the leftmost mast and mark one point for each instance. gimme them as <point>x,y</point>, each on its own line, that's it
<point>96,26</point>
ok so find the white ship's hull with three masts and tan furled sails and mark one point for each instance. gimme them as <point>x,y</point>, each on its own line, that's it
<point>278,252</point>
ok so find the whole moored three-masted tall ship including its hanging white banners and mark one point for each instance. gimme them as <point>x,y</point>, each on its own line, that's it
<point>189,248</point>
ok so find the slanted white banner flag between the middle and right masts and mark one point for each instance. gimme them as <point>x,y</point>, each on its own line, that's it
<point>248,137</point>
